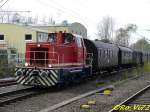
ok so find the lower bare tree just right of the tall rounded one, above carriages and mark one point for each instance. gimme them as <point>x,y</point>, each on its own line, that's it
<point>123,34</point>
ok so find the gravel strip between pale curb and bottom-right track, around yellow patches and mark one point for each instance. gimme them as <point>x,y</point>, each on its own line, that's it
<point>104,103</point>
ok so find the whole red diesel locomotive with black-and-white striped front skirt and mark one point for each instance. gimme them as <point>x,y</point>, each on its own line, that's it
<point>63,58</point>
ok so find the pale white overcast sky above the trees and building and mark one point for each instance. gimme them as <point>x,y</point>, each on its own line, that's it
<point>88,12</point>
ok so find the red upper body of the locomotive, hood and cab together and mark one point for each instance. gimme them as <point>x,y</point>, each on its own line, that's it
<point>61,49</point>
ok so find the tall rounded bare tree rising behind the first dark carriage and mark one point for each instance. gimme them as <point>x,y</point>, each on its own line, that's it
<point>106,28</point>
